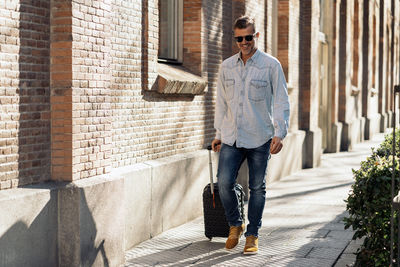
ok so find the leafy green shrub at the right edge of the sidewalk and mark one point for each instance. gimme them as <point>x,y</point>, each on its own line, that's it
<point>369,205</point>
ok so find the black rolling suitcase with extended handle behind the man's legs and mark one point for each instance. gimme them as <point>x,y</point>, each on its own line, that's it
<point>215,224</point>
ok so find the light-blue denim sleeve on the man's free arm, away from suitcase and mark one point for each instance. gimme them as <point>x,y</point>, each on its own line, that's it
<point>281,106</point>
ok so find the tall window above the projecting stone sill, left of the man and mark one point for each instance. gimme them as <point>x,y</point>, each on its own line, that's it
<point>171,28</point>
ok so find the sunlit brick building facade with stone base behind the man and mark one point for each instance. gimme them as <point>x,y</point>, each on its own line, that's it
<point>87,109</point>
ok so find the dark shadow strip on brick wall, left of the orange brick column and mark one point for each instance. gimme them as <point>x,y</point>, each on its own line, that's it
<point>34,92</point>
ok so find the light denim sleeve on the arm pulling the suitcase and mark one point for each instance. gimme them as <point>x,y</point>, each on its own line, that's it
<point>220,107</point>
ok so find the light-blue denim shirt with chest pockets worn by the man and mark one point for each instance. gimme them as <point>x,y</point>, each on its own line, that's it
<point>252,101</point>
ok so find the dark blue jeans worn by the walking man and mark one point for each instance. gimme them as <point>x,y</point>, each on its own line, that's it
<point>230,160</point>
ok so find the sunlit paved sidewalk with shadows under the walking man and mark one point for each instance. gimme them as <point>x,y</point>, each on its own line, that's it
<point>302,224</point>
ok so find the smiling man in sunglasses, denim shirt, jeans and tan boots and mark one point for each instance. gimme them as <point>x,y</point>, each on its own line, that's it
<point>251,120</point>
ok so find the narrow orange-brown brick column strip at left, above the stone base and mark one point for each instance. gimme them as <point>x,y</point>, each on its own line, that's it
<point>61,87</point>
